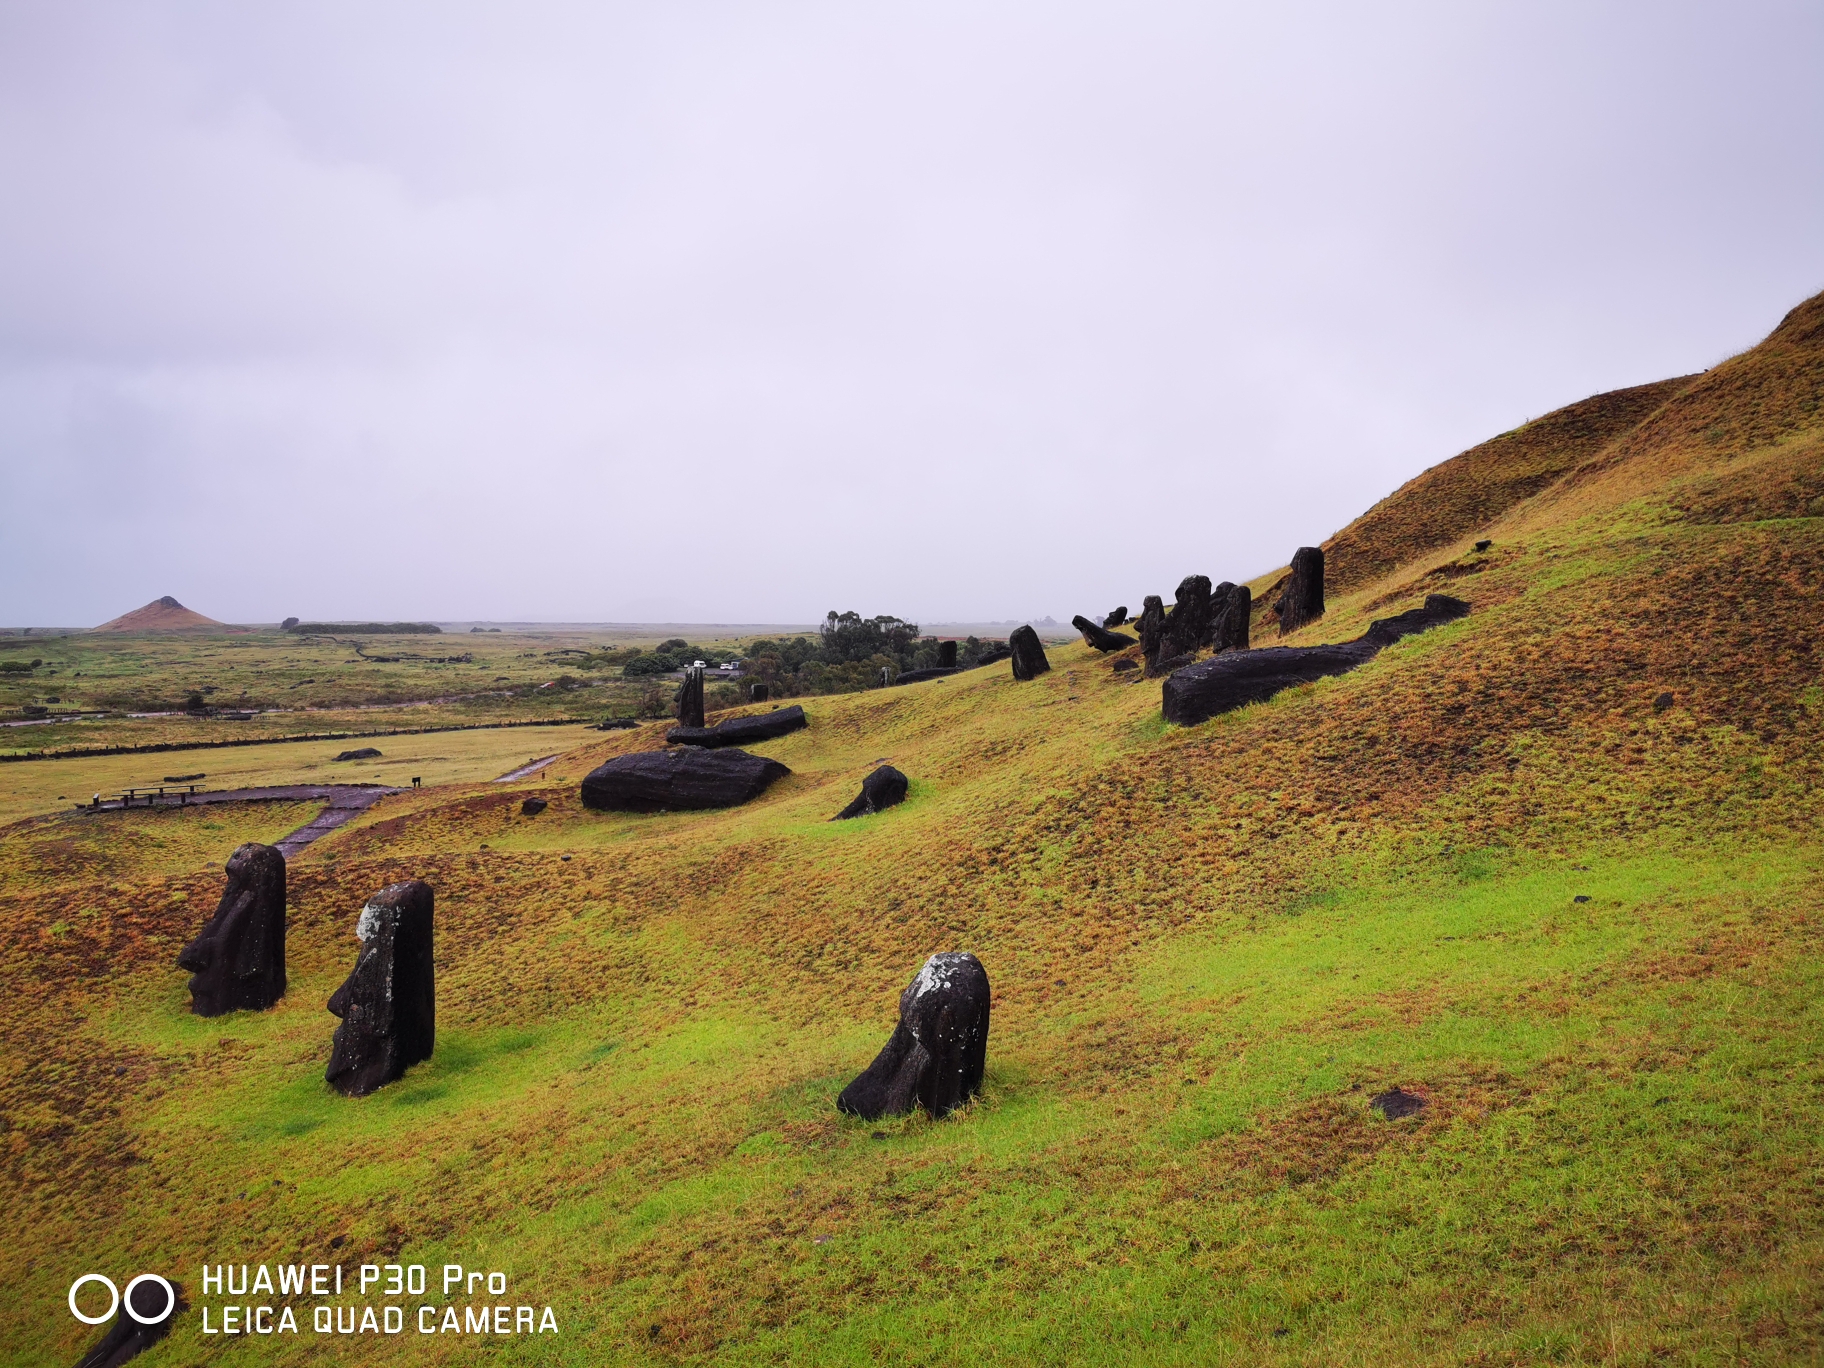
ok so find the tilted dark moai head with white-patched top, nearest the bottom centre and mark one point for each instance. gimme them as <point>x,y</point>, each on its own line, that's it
<point>937,1055</point>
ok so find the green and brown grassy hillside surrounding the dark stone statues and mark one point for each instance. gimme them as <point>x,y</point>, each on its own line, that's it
<point>1208,949</point>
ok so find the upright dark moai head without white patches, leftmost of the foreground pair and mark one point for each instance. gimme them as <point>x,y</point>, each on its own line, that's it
<point>238,959</point>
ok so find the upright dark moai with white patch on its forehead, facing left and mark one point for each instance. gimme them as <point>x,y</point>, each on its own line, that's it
<point>389,1004</point>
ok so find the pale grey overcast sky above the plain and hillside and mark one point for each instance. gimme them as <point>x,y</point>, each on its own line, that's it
<point>752,311</point>
